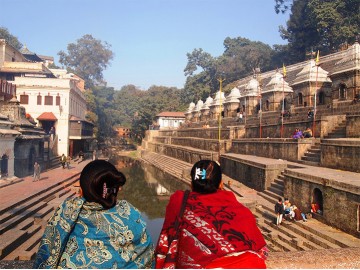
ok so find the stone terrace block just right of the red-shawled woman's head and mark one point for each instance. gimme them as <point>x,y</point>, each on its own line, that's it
<point>254,172</point>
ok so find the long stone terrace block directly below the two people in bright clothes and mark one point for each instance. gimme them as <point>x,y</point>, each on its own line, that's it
<point>288,149</point>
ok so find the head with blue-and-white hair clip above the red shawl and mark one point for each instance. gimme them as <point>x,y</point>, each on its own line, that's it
<point>205,176</point>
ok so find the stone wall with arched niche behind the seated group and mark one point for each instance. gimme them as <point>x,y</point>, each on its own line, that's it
<point>340,199</point>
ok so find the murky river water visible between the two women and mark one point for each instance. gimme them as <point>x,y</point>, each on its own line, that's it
<point>148,189</point>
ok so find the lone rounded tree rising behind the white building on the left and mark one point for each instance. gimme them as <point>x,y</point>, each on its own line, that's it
<point>88,58</point>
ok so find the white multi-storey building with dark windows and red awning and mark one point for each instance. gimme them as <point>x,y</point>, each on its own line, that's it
<point>54,98</point>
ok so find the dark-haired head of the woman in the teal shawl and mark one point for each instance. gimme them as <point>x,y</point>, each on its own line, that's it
<point>100,182</point>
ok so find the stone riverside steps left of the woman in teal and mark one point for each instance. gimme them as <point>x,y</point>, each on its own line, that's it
<point>22,224</point>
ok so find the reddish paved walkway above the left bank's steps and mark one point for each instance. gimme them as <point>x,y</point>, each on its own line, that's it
<point>11,193</point>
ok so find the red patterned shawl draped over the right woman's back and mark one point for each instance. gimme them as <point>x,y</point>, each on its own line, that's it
<point>213,225</point>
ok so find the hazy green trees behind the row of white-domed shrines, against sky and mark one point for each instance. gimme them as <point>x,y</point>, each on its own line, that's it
<point>240,58</point>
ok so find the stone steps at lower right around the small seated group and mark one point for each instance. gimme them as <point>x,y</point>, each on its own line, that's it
<point>294,235</point>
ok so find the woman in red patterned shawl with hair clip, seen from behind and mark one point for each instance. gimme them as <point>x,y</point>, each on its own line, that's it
<point>215,231</point>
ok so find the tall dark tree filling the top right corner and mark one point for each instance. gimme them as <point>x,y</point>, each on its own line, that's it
<point>323,25</point>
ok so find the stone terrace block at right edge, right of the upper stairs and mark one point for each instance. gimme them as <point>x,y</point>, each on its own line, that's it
<point>342,154</point>
